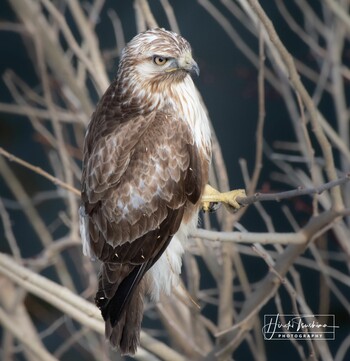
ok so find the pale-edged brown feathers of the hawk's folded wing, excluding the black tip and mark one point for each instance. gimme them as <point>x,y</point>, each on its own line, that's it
<point>136,180</point>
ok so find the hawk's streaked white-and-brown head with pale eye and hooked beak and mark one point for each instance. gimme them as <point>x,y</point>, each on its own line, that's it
<point>157,56</point>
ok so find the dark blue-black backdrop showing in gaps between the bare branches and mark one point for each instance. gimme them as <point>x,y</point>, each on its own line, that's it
<point>228,84</point>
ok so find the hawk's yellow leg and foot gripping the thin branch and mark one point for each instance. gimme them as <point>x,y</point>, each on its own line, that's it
<point>229,199</point>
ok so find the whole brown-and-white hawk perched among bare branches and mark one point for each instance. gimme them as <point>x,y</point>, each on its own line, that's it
<point>146,156</point>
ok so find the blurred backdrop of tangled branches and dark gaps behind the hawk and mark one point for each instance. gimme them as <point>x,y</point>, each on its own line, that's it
<point>48,90</point>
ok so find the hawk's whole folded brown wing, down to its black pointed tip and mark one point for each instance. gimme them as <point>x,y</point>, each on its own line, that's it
<point>139,172</point>
